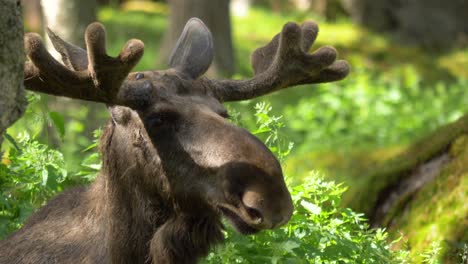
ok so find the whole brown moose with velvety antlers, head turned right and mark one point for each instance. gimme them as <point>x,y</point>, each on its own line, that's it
<point>173,166</point>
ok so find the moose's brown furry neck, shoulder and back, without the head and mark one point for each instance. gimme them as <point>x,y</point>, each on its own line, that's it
<point>117,219</point>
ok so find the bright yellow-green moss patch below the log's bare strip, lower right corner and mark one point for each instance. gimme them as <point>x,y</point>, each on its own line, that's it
<point>439,211</point>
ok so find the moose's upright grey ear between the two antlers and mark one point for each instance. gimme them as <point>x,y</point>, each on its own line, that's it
<point>193,53</point>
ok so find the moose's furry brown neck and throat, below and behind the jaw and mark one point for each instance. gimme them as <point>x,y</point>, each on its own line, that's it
<point>146,219</point>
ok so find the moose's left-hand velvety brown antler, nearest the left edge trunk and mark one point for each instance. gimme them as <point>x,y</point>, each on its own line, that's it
<point>89,75</point>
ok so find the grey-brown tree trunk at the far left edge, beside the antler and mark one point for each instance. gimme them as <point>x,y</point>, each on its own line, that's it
<point>12,100</point>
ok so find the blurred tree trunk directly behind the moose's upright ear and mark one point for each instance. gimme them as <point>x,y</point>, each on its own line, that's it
<point>215,14</point>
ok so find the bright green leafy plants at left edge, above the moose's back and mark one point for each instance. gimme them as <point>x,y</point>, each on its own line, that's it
<point>33,173</point>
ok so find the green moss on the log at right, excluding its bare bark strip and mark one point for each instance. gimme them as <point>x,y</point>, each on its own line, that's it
<point>439,211</point>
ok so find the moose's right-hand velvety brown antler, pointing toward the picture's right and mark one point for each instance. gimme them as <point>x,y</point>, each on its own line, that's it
<point>285,62</point>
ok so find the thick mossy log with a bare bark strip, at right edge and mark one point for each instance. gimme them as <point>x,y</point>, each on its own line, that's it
<point>423,193</point>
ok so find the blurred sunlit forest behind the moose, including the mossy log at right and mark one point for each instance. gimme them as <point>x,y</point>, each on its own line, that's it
<point>393,131</point>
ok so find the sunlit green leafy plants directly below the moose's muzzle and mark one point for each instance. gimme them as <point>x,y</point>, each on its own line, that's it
<point>320,231</point>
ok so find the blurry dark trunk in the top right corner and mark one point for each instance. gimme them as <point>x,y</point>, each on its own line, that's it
<point>433,24</point>
